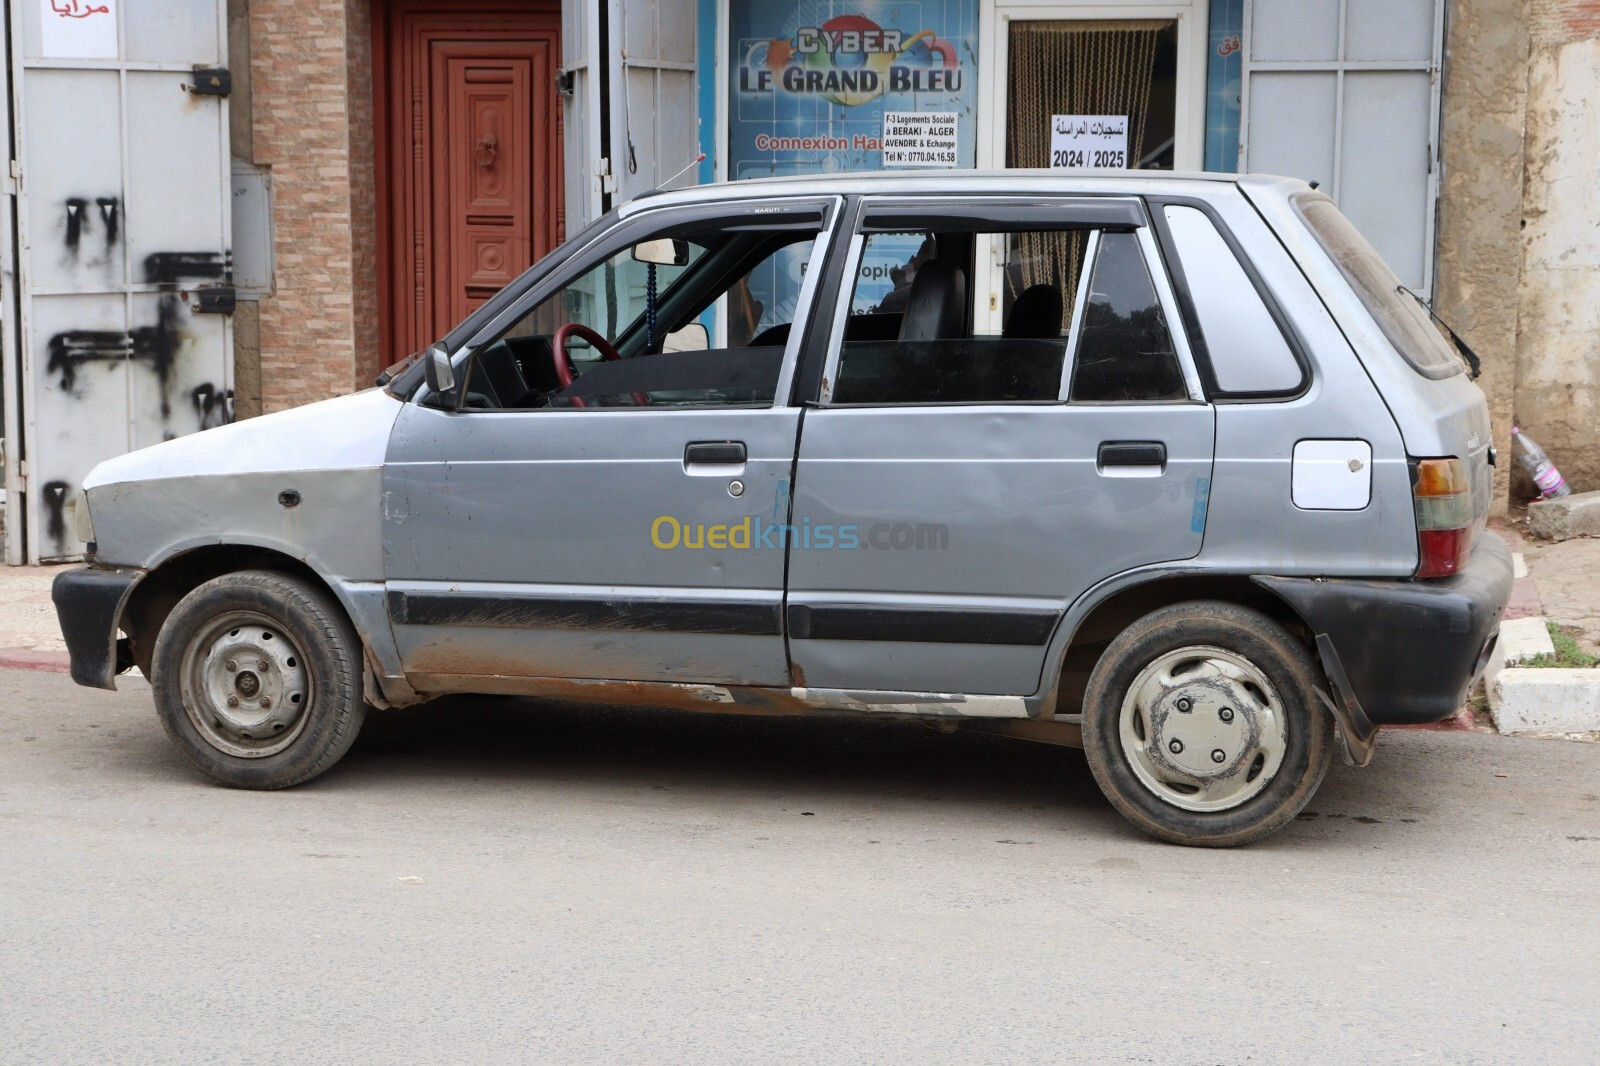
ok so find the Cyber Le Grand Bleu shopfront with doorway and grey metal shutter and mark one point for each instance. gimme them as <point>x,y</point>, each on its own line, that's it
<point>1338,92</point>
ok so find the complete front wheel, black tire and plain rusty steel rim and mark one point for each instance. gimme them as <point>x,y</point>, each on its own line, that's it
<point>260,636</point>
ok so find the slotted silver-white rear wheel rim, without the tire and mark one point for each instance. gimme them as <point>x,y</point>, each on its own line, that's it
<point>1204,729</point>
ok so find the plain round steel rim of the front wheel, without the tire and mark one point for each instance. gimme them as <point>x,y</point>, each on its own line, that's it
<point>246,686</point>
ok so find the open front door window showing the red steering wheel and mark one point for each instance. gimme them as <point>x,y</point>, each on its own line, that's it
<point>674,316</point>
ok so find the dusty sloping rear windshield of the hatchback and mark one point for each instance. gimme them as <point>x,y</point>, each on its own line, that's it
<point>1398,313</point>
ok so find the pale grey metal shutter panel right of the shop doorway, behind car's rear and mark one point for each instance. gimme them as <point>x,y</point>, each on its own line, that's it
<point>1346,94</point>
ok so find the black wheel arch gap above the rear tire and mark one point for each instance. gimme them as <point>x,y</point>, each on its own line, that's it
<point>1121,607</point>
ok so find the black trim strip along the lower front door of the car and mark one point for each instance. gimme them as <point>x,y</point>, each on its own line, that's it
<point>537,612</point>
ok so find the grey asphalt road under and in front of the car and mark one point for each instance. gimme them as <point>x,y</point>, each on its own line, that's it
<point>602,886</point>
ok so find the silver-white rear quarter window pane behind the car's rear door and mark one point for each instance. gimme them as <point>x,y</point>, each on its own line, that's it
<point>1249,353</point>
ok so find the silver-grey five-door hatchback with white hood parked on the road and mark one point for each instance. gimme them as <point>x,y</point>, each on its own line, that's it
<point>1170,468</point>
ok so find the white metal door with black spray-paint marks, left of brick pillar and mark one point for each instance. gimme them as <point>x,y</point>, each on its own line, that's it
<point>124,234</point>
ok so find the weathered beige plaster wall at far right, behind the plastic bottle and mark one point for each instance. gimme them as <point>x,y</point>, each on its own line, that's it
<point>1519,241</point>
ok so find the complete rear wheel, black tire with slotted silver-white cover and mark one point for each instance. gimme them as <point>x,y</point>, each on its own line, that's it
<point>1302,747</point>
